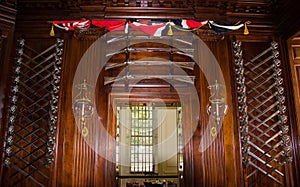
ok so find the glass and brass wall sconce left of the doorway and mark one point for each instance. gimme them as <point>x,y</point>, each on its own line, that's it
<point>83,107</point>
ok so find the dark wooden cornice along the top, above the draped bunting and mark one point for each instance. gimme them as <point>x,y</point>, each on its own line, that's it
<point>265,15</point>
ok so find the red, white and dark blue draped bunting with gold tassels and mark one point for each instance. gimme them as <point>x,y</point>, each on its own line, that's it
<point>151,27</point>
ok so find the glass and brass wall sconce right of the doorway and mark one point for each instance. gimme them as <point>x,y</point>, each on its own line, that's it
<point>217,107</point>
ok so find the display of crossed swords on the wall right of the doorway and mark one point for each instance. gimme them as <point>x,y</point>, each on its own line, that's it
<point>264,130</point>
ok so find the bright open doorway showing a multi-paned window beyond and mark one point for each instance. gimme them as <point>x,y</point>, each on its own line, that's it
<point>149,144</point>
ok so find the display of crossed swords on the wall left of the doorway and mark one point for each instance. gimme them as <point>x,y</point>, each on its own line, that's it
<point>33,114</point>
